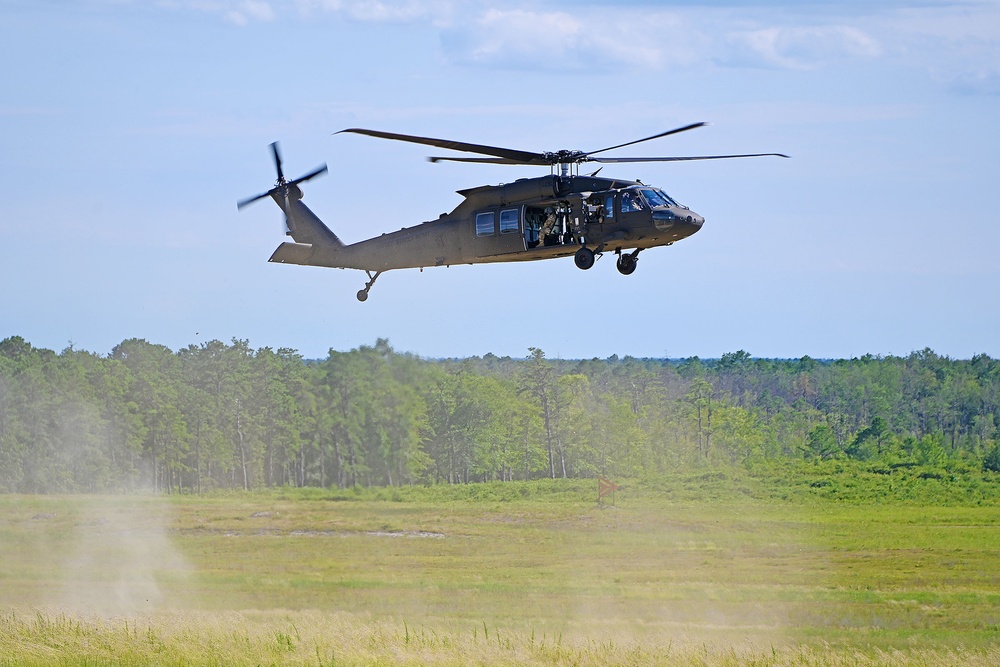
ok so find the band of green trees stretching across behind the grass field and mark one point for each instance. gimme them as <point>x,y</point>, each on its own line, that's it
<point>227,416</point>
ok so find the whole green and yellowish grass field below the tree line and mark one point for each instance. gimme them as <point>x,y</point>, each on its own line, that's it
<point>534,573</point>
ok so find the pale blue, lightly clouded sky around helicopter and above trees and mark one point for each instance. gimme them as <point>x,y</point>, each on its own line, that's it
<point>130,129</point>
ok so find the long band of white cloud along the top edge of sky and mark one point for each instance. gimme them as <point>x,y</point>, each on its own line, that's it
<point>956,44</point>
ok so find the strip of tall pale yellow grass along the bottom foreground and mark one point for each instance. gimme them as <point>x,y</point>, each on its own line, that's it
<point>324,638</point>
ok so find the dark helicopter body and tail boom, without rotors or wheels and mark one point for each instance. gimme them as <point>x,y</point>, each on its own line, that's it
<point>529,219</point>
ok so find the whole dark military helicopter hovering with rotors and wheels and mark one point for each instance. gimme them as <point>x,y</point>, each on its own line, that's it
<point>558,215</point>
